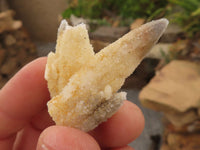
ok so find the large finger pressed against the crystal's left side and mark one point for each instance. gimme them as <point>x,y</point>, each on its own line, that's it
<point>22,97</point>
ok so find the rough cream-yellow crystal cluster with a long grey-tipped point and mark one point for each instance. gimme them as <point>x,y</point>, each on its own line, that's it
<point>82,84</point>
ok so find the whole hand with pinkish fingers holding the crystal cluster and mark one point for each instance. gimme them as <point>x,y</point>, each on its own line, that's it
<point>26,125</point>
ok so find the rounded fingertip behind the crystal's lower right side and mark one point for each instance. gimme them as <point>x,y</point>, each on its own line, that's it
<point>122,128</point>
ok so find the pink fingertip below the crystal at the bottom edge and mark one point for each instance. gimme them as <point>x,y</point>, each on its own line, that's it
<point>66,138</point>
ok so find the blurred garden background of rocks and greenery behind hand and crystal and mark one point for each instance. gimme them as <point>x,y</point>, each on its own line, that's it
<point>165,85</point>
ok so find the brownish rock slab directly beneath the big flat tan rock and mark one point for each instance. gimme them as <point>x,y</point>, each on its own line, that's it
<point>181,119</point>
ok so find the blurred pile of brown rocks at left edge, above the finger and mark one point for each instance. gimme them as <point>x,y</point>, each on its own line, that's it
<point>16,48</point>
